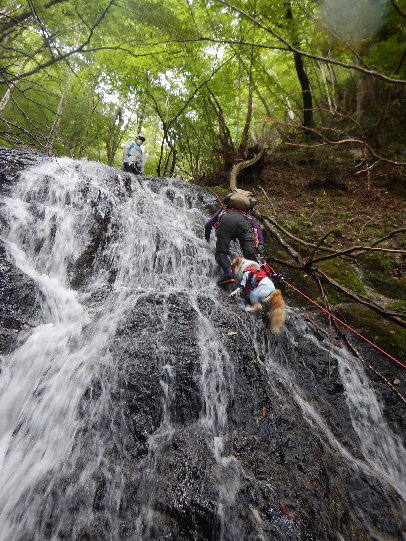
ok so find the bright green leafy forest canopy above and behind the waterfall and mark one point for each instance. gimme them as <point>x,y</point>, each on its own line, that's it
<point>209,82</point>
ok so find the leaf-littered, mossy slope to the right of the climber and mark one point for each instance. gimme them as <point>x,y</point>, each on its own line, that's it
<point>354,218</point>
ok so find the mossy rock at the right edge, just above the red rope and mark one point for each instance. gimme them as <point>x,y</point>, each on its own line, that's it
<point>385,334</point>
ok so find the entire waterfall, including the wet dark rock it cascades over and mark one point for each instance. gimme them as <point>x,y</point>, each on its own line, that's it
<point>147,405</point>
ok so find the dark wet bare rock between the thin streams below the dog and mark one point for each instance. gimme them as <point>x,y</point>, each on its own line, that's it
<point>277,479</point>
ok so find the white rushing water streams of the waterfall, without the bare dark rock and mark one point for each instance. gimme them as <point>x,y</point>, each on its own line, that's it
<point>145,244</point>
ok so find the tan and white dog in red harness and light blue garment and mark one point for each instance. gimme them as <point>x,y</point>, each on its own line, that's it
<point>256,283</point>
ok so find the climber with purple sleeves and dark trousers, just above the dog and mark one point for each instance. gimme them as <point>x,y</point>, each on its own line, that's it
<point>232,224</point>
